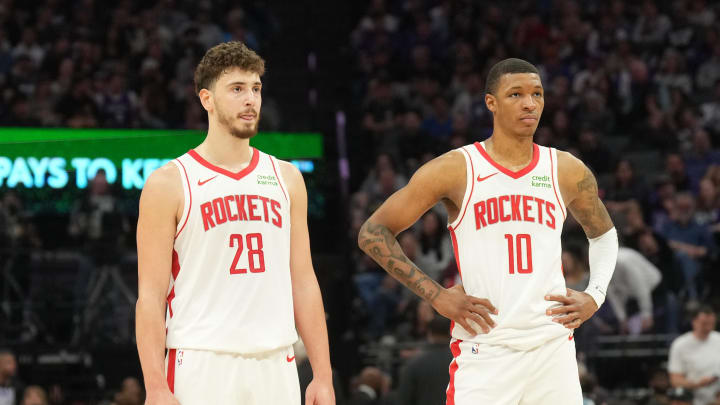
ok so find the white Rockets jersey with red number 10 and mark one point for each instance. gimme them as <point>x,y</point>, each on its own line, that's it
<point>507,245</point>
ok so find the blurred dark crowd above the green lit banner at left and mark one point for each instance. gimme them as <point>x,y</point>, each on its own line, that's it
<point>85,64</point>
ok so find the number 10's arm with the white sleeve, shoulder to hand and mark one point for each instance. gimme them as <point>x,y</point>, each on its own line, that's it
<point>580,192</point>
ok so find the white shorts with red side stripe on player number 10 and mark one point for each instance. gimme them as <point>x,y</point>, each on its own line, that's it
<point>485,374</point>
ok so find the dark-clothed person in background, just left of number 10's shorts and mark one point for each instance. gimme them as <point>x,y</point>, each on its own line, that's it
<point>420,381</point>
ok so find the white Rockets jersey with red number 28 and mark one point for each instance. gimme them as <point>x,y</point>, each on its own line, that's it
<point>230,288</point>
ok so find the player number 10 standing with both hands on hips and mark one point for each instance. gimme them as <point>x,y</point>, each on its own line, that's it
<point>507,199</point>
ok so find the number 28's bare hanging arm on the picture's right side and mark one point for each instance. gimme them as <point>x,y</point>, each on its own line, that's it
<point>307,300</point>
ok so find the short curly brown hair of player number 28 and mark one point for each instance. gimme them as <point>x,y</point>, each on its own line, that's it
<point>225,56</point>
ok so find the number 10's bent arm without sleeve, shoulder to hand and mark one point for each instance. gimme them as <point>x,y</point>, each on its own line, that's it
<point>441,179</point>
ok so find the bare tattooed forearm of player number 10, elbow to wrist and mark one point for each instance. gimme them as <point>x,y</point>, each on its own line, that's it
<point>379,243</point>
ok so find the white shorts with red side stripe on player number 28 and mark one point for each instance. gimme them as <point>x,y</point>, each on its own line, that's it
<point>200,377</point>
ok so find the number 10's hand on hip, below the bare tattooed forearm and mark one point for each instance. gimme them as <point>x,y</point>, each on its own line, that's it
<point>466,310</point>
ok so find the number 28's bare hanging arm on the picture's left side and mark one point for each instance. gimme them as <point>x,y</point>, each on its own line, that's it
<point>160,204</point>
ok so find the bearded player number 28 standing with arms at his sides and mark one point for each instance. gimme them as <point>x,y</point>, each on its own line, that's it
<point>224,268</point>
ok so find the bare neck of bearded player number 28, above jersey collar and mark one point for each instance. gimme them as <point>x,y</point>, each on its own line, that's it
<point>222,149</point>
